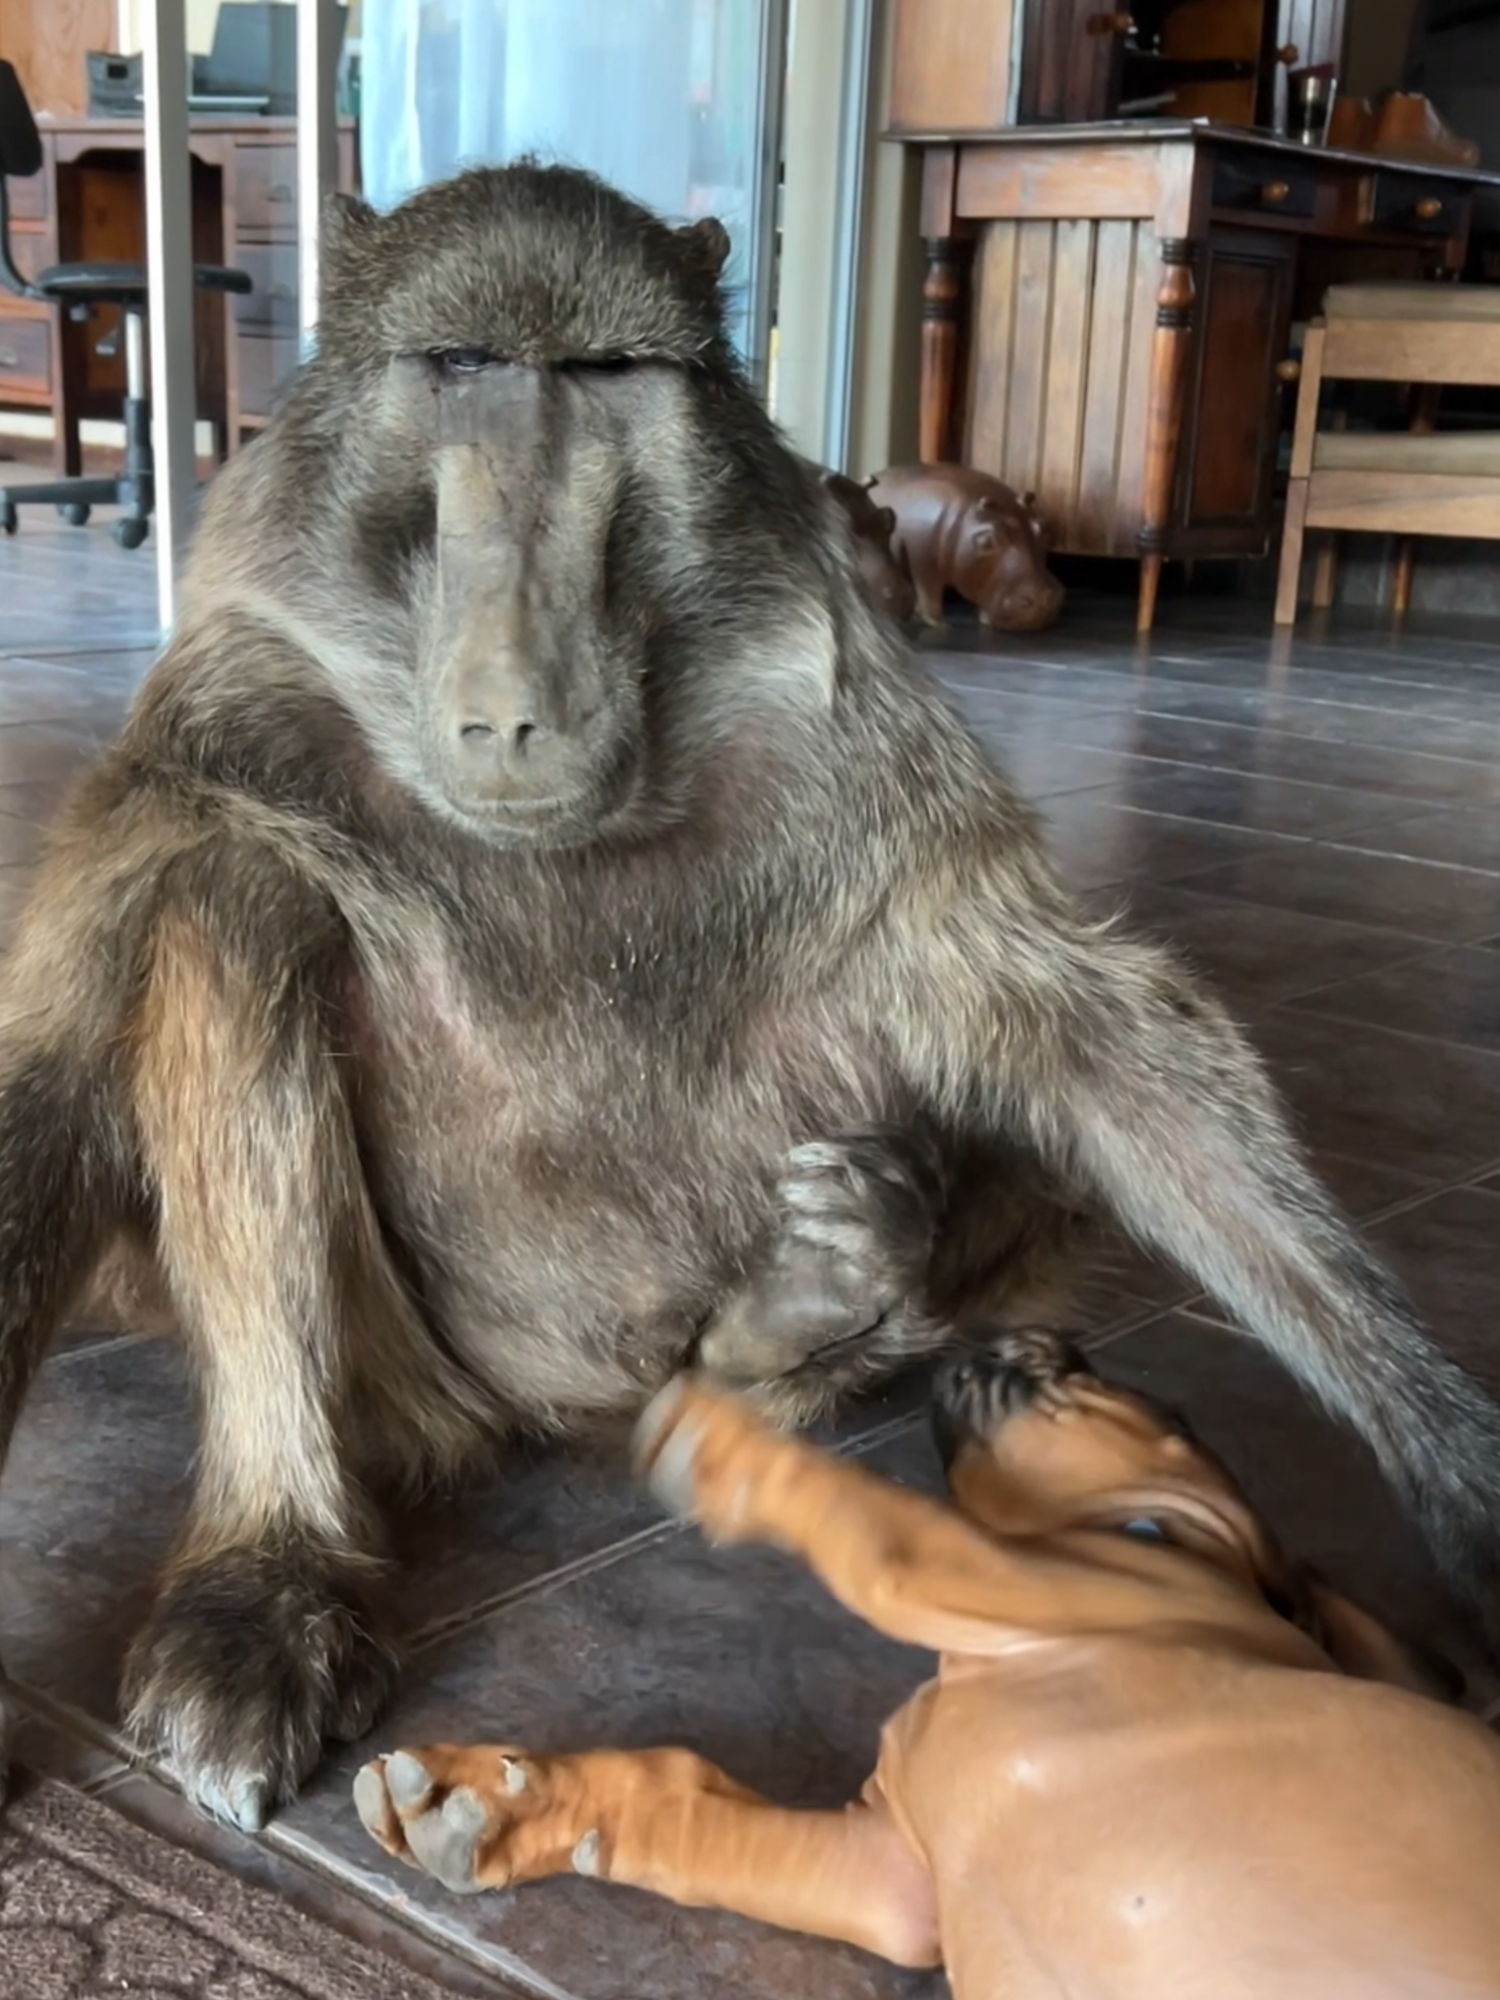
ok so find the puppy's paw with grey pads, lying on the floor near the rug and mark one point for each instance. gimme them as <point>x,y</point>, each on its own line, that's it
<point>481,1817</point>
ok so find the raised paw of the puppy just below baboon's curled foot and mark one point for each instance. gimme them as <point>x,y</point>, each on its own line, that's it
<point>711,1459</point>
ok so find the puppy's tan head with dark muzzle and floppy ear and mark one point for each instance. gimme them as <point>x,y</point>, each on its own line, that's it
<point>1035,1443</point>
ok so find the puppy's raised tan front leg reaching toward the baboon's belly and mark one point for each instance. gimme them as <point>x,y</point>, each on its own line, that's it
<point>907,1565</point>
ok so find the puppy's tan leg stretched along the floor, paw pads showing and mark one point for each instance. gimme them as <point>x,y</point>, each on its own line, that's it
<point>663,1821</point>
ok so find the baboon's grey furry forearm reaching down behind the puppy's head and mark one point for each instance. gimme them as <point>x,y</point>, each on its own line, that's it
<point>1157,1101</point>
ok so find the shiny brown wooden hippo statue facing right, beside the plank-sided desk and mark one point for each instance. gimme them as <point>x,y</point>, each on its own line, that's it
<point>963,531</point>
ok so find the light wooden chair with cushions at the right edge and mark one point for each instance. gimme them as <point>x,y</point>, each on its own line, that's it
<point>1403,483</point>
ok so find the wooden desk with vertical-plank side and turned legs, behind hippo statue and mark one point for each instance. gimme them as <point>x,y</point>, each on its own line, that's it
<point>1107,315</point>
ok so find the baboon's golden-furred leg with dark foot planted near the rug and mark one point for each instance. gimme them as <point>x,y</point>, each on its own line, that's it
<point>265,1637</point>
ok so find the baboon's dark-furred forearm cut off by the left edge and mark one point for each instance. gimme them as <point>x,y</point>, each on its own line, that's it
<point>57,1175</point>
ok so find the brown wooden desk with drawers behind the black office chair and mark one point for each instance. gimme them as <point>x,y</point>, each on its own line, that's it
<point>89,203</point>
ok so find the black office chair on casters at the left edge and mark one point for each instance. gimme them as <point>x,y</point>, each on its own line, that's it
<point>81,289</point>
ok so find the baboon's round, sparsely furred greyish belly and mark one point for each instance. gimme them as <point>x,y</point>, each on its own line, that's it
<point>573,1173</point>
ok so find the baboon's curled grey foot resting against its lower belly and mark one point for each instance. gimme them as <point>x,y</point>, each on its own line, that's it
<point>833,1293</point>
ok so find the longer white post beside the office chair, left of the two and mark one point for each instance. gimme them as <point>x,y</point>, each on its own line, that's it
<point>169,265</point>
